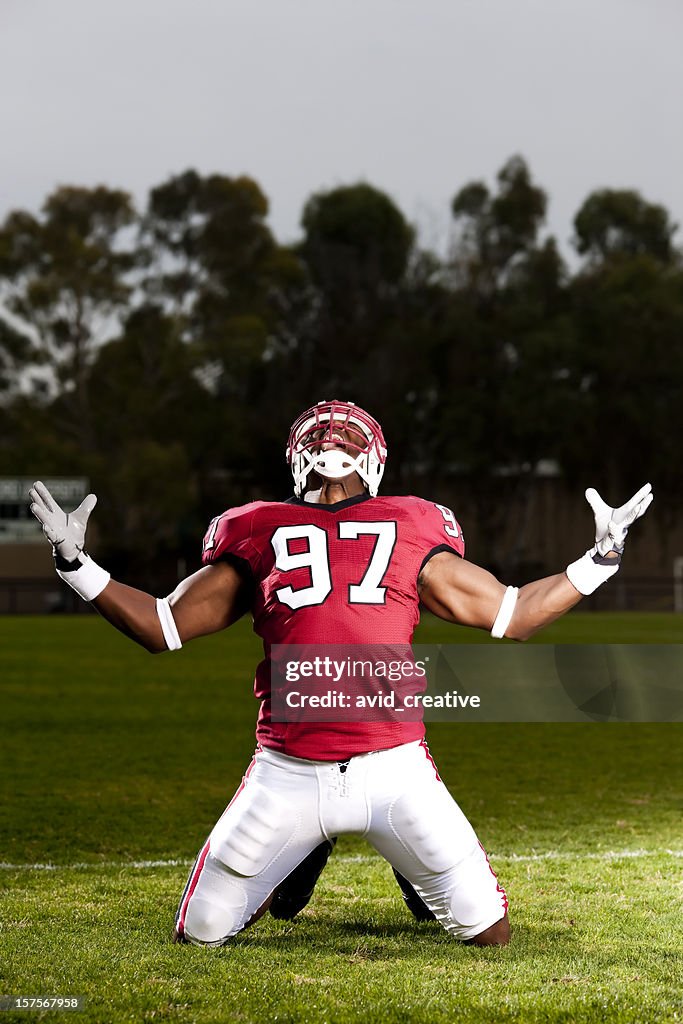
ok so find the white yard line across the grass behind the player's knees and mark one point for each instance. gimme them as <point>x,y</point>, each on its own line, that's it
<point>606,856</point>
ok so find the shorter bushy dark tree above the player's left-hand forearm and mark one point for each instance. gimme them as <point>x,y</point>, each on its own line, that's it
<point>155,430</point>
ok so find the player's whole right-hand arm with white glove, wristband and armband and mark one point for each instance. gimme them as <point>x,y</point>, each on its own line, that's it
<point>461,592</point>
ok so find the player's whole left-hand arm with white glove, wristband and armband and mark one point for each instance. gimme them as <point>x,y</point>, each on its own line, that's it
<point>205,603</point>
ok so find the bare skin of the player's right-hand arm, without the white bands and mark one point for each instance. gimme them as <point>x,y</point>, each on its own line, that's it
<point>461,592</point>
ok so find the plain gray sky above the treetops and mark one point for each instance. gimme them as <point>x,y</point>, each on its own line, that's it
<point>416,97</point>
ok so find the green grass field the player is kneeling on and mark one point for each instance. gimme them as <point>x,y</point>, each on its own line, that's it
<point>115,765</point>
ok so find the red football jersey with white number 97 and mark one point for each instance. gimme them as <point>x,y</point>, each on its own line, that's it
<point>344,574</point>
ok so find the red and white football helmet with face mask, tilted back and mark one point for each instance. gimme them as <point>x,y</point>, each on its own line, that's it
<point>316,429</point>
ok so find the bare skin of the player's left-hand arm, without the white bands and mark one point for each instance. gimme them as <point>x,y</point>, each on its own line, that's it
<point>205,603</point>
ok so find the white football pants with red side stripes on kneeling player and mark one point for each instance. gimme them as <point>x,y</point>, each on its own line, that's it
<point>287,806</point>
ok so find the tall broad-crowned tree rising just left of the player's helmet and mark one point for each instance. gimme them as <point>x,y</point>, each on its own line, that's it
<point>215,265</point>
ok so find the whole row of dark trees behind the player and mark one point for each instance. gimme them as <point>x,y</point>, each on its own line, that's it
<point>164,353</point>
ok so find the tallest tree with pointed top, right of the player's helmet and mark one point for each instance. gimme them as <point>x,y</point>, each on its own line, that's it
<point>504,396</point>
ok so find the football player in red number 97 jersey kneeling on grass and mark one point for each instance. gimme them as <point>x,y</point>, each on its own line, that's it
<point>336,564</point>
